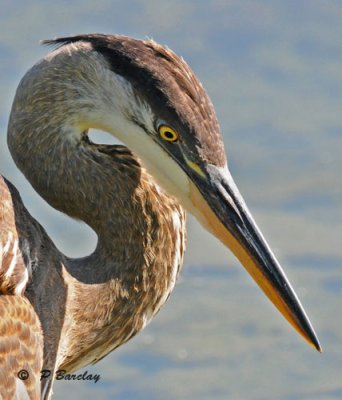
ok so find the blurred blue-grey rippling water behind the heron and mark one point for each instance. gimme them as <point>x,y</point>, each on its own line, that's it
<point>274,72</point>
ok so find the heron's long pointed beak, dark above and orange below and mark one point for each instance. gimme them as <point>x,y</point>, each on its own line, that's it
<point>221,209</point>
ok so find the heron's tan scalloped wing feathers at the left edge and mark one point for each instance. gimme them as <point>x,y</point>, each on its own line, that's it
<point>21,333</point>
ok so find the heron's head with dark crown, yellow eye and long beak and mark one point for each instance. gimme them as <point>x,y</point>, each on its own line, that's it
<point>168,119</point>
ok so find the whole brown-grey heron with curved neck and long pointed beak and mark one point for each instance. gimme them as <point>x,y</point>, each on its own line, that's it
<point>63,313</point>
